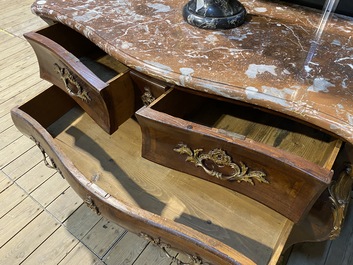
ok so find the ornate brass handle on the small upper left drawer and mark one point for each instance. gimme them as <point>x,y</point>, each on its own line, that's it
<point>70,81</point>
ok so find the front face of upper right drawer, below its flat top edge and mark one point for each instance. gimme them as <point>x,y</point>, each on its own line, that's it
<point>236,165</point>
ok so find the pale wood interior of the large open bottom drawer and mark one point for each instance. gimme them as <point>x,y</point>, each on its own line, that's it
<point>114,163</point>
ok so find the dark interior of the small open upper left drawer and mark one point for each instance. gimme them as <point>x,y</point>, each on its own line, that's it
<point>103,65</point>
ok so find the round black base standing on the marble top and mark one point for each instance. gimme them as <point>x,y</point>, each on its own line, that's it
<point>214,14</point>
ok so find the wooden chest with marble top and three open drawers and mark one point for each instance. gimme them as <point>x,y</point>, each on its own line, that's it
<point>243,158</point>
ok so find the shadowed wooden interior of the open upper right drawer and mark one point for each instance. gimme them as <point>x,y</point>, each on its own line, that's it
<point>247,122</point>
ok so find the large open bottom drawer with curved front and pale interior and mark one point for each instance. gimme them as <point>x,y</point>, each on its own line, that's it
<point>211,224</point>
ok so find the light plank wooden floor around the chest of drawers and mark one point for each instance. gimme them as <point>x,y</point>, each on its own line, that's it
<point>42,221</point>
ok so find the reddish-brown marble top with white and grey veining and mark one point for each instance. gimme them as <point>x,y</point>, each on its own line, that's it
<point>270,61</point>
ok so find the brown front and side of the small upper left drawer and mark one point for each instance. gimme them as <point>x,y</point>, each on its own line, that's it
<point>63,69</point>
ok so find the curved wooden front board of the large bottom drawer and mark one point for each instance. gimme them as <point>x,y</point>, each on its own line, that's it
<point>128,216</point>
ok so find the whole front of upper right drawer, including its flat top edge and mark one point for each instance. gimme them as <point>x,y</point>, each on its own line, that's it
<point>280,180</point>
